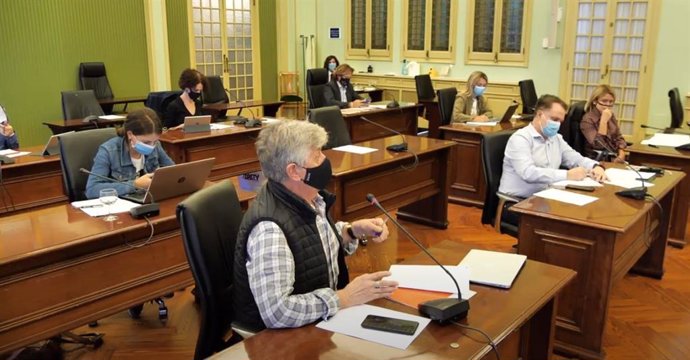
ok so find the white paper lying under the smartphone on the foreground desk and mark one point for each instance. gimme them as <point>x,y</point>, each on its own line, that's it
<point>349,322</point>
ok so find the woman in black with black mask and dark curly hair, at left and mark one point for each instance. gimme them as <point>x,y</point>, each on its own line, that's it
<point>189,103</point>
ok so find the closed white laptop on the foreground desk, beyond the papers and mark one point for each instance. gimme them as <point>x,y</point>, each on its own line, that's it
<point>493,268</point>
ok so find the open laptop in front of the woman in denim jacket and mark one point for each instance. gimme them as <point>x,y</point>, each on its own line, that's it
<point>176,180</point>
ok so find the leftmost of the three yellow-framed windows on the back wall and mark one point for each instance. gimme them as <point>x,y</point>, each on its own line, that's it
<point>368,29</point>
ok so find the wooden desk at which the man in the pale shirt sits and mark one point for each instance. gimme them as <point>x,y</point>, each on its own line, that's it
<point>602,241</point>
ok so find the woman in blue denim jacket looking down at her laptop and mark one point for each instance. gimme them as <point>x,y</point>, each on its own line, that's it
<point>130,158</point>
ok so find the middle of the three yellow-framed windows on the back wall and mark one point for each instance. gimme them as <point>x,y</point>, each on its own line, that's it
<point>429,29</point>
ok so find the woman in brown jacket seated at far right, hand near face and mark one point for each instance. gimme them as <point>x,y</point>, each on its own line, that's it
<point>600,127</point>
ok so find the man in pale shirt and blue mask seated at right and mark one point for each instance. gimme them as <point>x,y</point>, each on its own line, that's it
<point>535,154</point>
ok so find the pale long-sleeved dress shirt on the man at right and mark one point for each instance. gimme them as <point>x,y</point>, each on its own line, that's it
<point>532,163</point>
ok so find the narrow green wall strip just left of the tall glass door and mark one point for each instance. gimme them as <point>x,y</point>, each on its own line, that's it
<point>178,38</point>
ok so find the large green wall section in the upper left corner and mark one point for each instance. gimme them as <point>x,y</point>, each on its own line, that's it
<point>42,43</point>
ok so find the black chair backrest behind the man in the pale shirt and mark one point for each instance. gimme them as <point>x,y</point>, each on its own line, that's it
<point>493,148</point>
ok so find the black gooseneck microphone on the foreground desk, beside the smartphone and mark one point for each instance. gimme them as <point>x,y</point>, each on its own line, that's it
<point>440,310</point>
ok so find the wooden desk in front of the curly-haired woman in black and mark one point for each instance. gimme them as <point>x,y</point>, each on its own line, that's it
<point>233,149</point>
